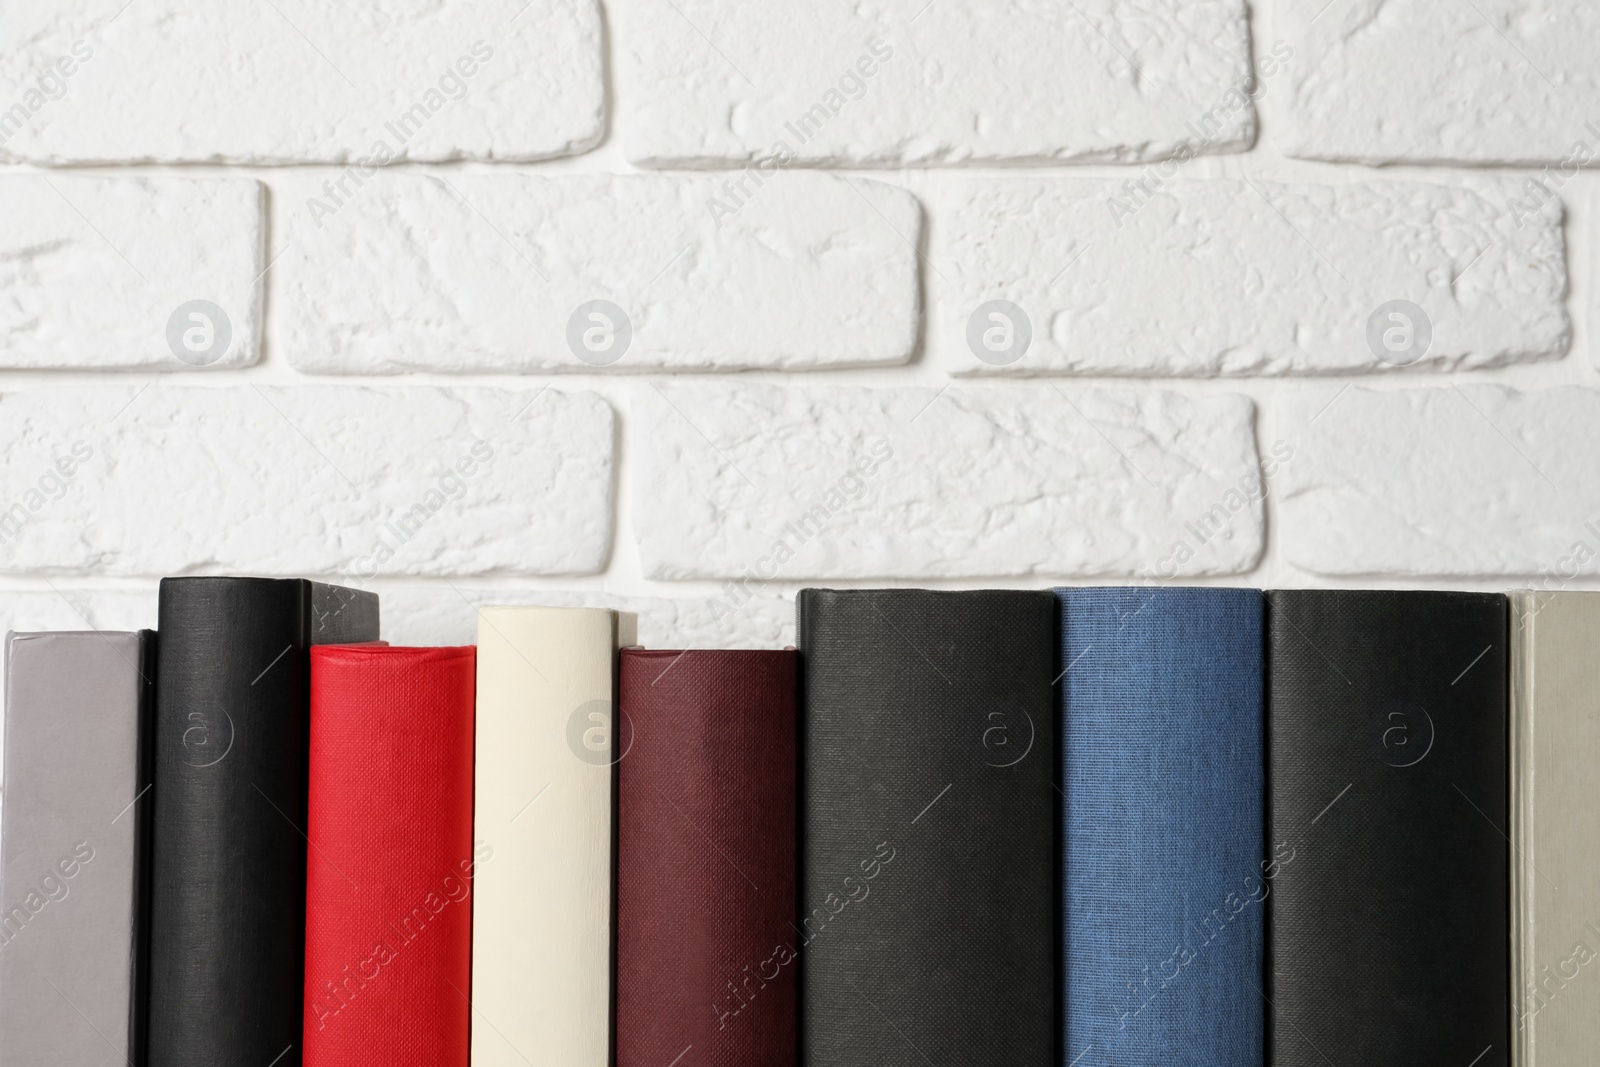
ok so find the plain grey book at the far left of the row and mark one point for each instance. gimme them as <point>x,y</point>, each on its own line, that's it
<point>78,721</point>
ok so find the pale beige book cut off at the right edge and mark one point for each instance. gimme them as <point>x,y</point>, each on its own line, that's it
<point>1556,829</point>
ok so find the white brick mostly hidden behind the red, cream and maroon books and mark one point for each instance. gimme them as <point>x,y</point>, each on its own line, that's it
<point>447,615</point>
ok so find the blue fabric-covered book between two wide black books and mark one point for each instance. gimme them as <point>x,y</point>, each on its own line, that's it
<point>1166,889</point>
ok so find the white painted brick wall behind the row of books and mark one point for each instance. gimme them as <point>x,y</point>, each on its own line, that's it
<point>1284,295</point>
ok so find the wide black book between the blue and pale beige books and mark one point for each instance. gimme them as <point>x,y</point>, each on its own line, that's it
<point>1388,773</point>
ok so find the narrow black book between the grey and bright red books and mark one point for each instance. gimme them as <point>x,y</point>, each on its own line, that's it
<point>228,874</point>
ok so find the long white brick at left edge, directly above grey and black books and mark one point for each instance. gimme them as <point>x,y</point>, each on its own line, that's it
<point>343,482</point>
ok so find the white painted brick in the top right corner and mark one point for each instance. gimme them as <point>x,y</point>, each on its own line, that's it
<point>1433,81</point>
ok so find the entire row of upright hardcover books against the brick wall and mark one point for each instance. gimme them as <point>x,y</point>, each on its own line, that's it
<point>1090,826</point>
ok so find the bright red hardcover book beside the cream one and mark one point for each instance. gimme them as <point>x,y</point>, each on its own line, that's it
<point>390,860</point>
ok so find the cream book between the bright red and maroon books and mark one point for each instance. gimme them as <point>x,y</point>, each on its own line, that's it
<point>543,826</point>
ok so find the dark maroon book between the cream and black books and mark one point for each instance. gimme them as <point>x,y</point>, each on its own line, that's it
<point>706,951</point>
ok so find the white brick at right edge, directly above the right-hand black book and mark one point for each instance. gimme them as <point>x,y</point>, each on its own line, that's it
<point>1476,481</point>
